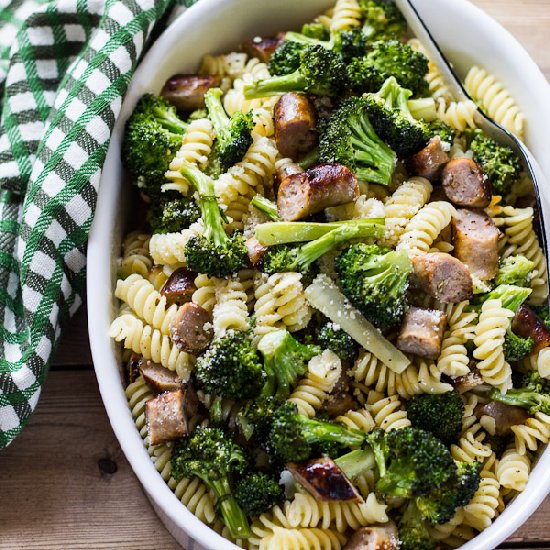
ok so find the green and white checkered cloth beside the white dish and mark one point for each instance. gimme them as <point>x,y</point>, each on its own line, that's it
<point>64,69</point>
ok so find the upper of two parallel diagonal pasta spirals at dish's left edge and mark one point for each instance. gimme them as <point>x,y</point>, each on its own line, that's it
<point>142,297</point>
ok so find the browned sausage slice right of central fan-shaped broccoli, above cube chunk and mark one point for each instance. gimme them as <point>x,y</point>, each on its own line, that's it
<point>443,277</point>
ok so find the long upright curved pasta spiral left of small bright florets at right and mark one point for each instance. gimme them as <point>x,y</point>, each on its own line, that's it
<point>490,333</point>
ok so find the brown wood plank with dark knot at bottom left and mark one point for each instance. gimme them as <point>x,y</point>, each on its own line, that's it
<point>56,489</point>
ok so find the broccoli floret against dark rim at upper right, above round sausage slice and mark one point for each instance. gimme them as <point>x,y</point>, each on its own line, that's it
<point>499,162</point>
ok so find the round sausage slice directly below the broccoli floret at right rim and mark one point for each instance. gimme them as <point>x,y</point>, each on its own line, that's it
<point>466,184</point>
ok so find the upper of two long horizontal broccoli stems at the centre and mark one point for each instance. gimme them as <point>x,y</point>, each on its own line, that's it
<point>270,234</point>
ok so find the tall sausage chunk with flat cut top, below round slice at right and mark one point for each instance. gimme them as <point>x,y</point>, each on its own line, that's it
<point>475,238</point>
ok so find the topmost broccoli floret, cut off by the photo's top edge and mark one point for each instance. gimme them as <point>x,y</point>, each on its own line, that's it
<point>383,20</point>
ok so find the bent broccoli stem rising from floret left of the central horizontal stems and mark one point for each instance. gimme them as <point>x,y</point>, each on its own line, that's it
<point>210,210</point>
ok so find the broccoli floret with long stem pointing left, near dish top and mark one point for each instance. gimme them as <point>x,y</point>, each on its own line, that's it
<point>321,72</point>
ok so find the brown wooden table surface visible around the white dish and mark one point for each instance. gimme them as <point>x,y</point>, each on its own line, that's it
<point>64,483</point>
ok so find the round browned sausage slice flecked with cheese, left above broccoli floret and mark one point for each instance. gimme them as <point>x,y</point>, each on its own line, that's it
<point>191,328</point>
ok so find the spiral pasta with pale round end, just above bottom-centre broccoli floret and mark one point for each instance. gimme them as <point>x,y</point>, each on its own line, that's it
<point>323,372</point>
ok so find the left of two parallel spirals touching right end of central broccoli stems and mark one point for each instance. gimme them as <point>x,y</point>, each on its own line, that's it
<point>403,205</point>
